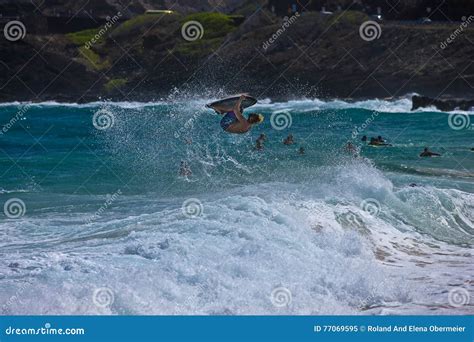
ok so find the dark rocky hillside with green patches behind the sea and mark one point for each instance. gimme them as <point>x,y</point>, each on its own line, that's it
<point>145,57</point>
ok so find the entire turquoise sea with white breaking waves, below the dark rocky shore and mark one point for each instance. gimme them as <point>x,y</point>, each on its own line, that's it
<point>109,226</point>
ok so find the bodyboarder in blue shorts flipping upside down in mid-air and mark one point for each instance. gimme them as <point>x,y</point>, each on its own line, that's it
<point>234,121</point>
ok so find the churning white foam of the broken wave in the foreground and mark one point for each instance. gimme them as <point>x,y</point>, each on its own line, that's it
<point>314,239</point>
